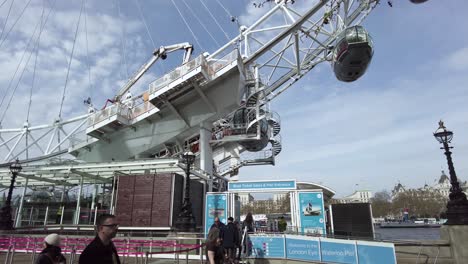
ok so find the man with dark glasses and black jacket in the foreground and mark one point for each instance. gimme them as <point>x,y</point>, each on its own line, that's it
<point>101,250</point>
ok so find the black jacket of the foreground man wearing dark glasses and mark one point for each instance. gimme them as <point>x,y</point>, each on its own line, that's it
<point>97,253</point>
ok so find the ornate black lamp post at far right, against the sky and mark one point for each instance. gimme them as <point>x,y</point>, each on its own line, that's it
<point>457,206</point>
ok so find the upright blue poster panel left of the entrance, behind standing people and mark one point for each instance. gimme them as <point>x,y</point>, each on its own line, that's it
<point>215,206</point>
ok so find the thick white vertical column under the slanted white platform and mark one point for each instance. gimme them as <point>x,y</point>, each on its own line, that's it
<point>206,152</point>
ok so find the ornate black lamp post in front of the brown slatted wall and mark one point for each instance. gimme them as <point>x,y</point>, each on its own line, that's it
<point>185,221</point>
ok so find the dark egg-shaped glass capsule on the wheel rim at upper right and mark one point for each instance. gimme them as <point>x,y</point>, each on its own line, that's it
<point>352,54</point>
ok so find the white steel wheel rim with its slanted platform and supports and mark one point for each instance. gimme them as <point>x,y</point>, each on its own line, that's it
<point>264,60</point>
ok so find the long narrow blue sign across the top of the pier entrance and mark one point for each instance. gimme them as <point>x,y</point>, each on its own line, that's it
<point>262,185</point>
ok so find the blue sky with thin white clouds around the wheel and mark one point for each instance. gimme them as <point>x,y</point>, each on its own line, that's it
<point>369,134</point>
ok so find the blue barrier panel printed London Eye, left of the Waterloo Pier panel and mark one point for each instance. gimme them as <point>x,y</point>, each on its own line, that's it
<point>302,248</point>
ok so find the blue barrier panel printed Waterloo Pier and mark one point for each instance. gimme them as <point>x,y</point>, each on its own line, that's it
<point>338,251</point>
